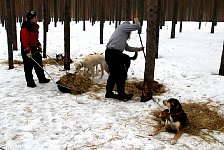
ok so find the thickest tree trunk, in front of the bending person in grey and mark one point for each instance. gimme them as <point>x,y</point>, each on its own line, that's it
<point>151,46</point>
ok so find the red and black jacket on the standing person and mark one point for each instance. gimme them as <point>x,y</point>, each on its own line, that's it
<point>29,36</point>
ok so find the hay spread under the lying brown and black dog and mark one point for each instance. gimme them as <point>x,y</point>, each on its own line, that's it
<point>200,116</point>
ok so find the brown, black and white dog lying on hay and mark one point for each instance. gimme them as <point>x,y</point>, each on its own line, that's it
<point>173,119</point>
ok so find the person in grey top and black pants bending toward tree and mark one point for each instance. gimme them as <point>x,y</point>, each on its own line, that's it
<point>114,57</point>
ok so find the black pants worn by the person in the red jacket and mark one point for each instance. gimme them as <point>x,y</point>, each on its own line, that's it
<point>29,64</point>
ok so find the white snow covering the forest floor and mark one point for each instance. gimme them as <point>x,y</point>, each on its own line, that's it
<point>43,118</point>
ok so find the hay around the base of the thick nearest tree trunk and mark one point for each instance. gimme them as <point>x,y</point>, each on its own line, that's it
<point>137,87</point>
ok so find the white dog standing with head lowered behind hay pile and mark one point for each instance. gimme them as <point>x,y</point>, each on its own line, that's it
<point>90,62</point>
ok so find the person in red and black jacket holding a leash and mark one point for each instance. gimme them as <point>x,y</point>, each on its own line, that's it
<point>30,50</point>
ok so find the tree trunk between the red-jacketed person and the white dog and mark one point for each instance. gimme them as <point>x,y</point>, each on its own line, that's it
<point>67,34</point>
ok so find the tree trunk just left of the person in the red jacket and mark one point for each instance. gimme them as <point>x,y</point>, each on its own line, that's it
<point>9,34</point>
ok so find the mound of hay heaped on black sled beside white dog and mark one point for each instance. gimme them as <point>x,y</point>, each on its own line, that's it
<point>78,83</point>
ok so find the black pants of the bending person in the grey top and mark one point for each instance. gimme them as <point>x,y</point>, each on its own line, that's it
<point>118,73</point>
